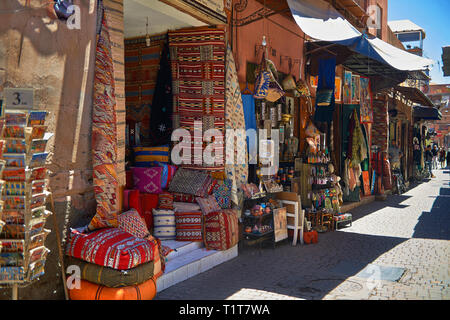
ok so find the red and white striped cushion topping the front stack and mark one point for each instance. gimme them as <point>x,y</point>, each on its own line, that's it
<point>110,247</point>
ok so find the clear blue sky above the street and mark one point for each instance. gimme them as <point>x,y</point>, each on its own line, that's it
<point>434,17</point>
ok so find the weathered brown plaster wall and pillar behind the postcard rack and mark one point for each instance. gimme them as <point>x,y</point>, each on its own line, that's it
<point>58,63</point>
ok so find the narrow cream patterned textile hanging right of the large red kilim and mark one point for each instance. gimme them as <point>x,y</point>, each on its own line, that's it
<point>234,119</point>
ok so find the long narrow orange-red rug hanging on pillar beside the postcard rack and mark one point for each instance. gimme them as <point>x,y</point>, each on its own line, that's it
<point>104,133</point>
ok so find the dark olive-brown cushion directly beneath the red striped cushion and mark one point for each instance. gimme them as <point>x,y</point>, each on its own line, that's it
<point>111,277</point>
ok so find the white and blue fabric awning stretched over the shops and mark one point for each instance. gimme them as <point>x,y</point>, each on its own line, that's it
<point>319,20</point>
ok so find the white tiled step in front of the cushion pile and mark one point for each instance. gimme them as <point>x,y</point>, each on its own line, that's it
<point>192,263</point>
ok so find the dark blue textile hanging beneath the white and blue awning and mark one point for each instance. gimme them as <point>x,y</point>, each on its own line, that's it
<point>325,90</point>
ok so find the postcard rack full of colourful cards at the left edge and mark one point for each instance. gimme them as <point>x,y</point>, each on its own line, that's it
<point>24,193</point>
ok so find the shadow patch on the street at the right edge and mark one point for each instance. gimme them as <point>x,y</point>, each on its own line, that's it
<point>436,223</point>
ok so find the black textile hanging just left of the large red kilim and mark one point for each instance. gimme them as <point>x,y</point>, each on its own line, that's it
<point>161,112</point>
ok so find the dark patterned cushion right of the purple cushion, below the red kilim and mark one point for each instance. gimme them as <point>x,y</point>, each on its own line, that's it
<point>193,182</point>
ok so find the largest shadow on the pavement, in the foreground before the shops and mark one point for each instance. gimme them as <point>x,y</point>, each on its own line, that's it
<point>306,272</point>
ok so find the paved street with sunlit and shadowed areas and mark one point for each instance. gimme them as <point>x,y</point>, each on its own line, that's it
<point>409,231</point>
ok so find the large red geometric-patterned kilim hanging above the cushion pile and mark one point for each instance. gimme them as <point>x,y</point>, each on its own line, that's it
<point>198,86</point>
